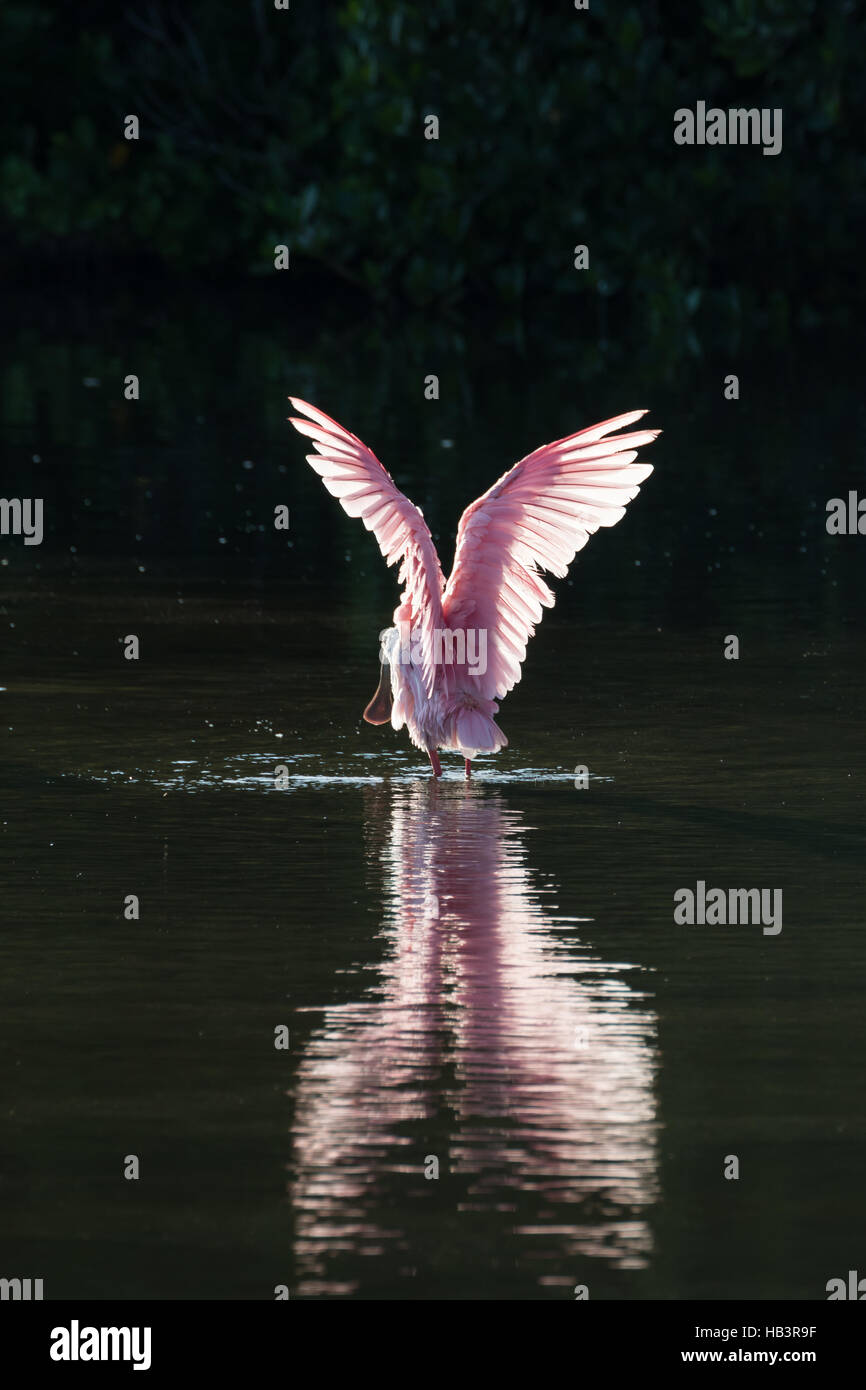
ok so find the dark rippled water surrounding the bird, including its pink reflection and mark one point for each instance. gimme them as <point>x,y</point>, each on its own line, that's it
<point>489,976</point>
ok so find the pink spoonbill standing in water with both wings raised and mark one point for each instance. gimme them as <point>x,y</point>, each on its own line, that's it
<point>457,648</point>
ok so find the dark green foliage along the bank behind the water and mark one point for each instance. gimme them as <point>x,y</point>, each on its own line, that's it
<point>305,127</point>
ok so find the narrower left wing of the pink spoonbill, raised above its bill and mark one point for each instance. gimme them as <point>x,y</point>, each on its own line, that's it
<point>354,475</point>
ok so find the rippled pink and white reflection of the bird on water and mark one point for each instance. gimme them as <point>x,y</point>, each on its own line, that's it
<point>496,1042</point>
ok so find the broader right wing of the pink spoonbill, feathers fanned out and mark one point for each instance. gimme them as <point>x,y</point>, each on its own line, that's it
<point>537,518</point>
